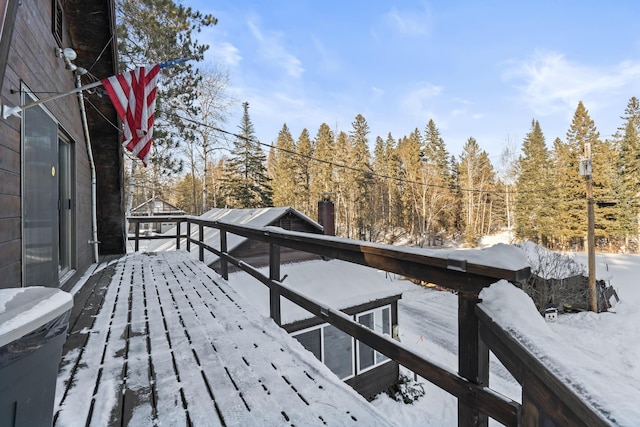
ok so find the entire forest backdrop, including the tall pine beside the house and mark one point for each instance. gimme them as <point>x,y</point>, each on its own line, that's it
<point>385,187</point>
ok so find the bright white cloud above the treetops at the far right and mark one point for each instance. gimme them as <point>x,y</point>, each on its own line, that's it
<point>548,83</point>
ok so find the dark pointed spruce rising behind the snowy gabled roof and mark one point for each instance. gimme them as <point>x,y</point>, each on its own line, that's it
<point>246,179</point>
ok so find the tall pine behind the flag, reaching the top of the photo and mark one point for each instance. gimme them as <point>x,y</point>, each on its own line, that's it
<point>151,32</point>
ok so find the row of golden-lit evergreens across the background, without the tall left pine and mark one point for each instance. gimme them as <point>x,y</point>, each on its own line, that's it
<point>413,187</point>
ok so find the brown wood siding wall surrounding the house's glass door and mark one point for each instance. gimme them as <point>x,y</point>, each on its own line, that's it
<point>32,60</point>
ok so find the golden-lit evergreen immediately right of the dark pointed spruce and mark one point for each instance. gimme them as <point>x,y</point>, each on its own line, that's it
<point>284,164</point>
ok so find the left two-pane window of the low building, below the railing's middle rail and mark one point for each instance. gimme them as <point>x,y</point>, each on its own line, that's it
<point>331,346</point>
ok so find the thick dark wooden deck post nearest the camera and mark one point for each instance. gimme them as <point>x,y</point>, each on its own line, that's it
<point>473,358</point>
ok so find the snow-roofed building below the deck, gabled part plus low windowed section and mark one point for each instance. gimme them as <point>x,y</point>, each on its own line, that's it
<point>364,293</point>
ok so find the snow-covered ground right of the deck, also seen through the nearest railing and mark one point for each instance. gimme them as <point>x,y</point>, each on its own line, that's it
<point>611,341</point>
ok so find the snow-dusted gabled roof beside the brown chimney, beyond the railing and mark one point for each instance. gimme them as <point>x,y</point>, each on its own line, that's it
<point>261,217</point>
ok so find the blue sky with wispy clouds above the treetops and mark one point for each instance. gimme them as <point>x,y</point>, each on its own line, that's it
<point>478,69</point>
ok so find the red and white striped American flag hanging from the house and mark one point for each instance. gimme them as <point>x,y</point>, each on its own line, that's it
<point>133,94</point>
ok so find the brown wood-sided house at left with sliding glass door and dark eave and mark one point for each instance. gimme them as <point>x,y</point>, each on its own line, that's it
<point>46,230</point>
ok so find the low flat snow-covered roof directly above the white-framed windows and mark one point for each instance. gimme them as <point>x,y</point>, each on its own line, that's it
<point>338,284</point>
